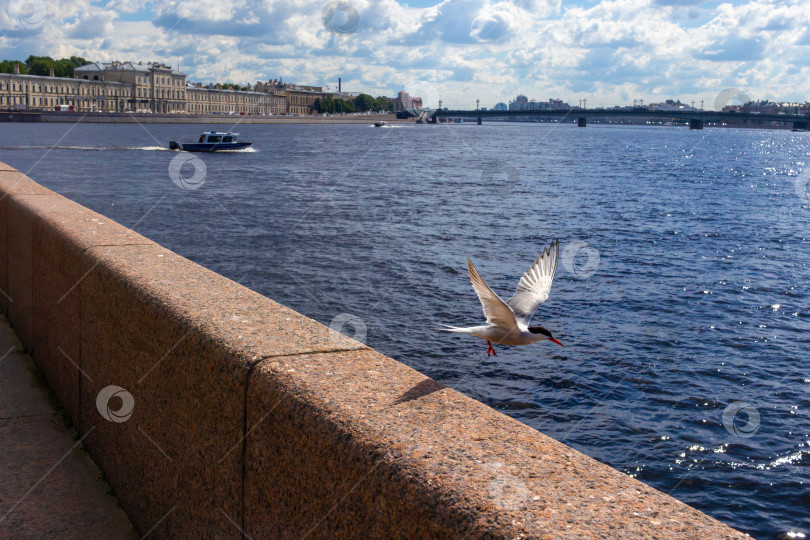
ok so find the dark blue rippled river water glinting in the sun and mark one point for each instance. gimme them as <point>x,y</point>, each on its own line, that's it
<point>699,297</point>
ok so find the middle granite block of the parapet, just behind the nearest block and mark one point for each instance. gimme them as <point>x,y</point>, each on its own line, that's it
<point>181,339</point>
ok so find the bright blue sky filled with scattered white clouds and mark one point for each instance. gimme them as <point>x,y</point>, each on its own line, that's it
<point>607,51</point>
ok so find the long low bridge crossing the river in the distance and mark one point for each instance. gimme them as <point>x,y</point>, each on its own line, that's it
<point>696,118</point>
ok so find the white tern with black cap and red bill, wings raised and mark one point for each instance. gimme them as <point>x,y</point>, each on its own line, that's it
<point>508,322</point>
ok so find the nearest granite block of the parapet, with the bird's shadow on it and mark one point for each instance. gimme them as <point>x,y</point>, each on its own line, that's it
<point>355,444</point>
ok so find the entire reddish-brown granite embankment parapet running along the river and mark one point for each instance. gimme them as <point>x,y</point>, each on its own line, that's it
<point>215,412</point>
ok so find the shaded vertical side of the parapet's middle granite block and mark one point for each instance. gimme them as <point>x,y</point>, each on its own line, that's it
<point>164,462</point>
